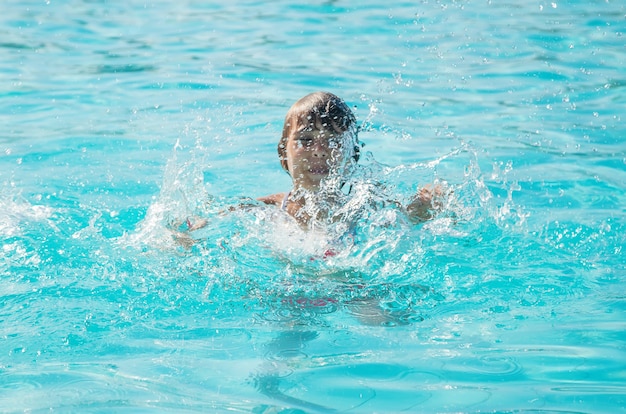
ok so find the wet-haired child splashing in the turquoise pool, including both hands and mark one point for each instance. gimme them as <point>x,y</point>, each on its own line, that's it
<point>319,149</point>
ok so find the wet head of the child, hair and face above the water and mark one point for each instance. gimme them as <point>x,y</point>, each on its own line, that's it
<point>319,126</point>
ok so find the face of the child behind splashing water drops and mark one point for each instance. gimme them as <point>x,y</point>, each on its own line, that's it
<point>313,152</point>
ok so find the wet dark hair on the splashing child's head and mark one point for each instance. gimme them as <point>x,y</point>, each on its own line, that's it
<point>318,108</point>
